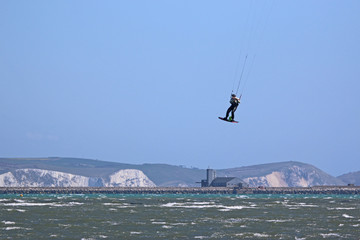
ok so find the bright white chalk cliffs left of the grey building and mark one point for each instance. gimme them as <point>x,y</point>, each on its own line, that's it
<point>47,178</point>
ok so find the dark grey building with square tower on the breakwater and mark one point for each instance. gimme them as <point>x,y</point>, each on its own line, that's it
<point>213,181</point>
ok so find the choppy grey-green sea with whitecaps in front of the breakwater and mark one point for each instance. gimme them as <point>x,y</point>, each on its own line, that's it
<point>179,217</point>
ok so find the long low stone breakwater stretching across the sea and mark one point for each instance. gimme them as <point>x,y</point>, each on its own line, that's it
<point>181,190</point>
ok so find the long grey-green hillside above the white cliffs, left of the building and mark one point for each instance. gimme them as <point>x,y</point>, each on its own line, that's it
<point>160,174</point>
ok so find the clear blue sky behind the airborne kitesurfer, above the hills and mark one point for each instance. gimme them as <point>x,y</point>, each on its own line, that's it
<point>144,81</point>
